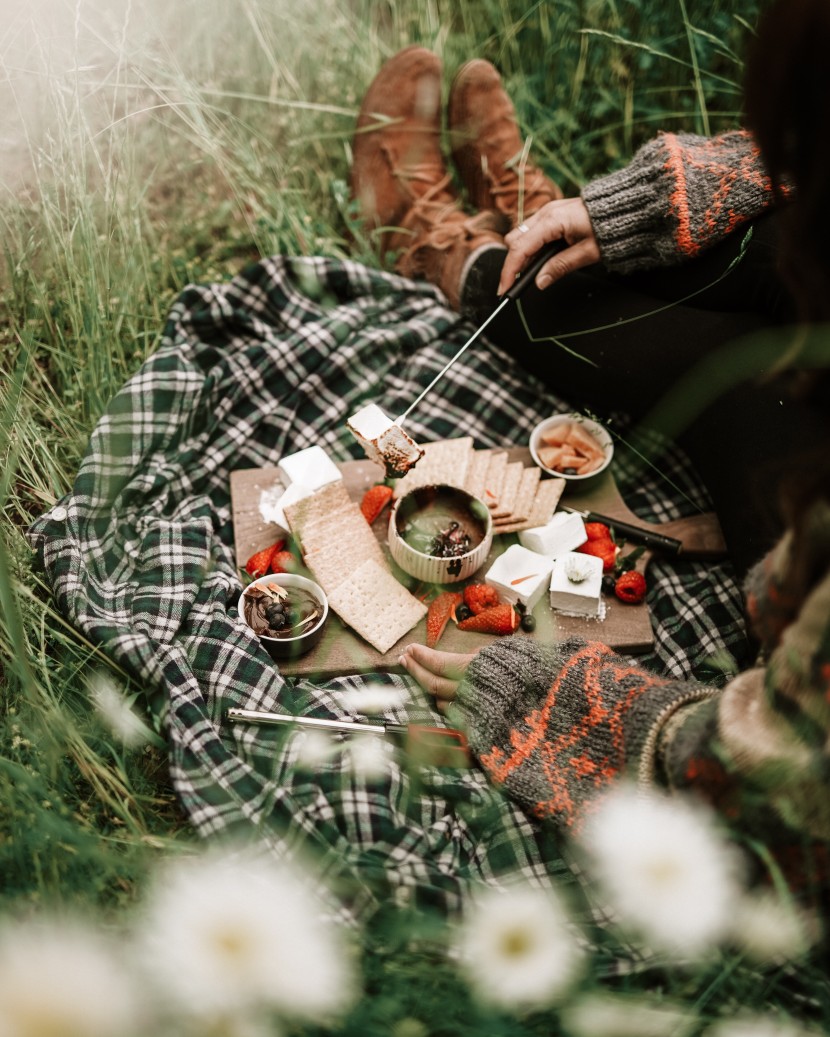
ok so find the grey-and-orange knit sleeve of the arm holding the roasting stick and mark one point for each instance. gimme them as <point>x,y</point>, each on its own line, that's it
<point>678,197</point>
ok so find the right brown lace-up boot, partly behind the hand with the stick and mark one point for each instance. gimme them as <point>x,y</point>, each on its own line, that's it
<point>488,149</point>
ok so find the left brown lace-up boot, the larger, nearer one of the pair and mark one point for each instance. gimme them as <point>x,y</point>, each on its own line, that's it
<point>402,184</point>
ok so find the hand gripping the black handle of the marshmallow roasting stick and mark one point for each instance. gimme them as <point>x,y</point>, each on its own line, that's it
<point>565,220</point>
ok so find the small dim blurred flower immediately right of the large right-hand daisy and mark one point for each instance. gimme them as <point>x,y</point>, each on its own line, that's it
<point>770,931</point>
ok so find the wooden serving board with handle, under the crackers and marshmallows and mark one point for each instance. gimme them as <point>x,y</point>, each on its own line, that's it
<point>626,628</point>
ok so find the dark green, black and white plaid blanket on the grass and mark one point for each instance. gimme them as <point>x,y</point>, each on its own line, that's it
<point>140,557</point>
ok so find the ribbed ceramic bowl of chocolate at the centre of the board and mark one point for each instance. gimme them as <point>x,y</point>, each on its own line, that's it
<point>447,519</point>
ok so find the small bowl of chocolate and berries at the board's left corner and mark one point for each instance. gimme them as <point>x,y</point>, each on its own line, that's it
<point>287,611</point>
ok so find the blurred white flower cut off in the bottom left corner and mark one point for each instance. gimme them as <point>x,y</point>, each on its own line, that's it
<point>63,979</point>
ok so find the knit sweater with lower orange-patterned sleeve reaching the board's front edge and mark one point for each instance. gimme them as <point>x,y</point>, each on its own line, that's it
<point>557,725</point>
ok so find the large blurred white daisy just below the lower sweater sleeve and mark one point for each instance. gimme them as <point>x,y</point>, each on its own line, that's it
<point>665,870</point>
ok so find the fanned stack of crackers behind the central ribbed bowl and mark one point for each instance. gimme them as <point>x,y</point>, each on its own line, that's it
<point>518,497</point>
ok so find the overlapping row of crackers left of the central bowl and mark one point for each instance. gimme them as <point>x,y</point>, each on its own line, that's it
<point>348,563</point>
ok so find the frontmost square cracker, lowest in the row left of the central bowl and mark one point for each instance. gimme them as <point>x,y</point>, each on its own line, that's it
<point>376,606</point>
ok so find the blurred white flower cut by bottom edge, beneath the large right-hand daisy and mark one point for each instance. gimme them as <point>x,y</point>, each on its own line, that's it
<point>610,1016</point>
